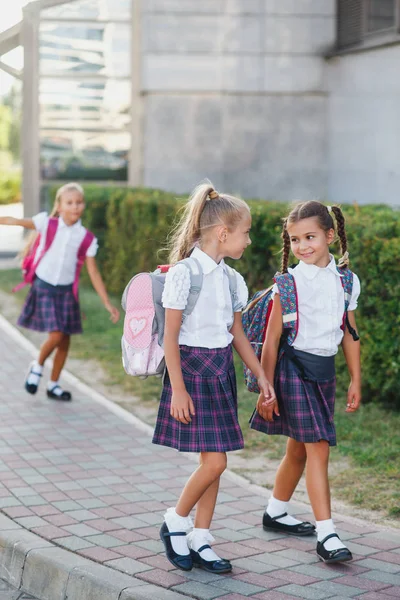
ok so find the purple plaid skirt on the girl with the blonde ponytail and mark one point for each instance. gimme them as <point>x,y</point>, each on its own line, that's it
<point>209,376</point>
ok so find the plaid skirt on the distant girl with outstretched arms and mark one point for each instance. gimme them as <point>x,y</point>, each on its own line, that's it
<point>51,308</point>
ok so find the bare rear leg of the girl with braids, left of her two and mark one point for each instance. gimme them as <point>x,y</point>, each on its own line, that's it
<point>290,470</point>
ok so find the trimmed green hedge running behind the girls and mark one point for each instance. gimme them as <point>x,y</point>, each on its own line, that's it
<point>133,224</point>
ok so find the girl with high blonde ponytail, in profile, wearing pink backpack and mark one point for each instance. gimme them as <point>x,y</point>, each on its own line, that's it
<point>198,408</point>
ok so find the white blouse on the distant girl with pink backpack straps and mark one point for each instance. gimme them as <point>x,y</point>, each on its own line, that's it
<point>58,265</point>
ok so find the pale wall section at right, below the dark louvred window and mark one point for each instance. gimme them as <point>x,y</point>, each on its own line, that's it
<point>364,126</point>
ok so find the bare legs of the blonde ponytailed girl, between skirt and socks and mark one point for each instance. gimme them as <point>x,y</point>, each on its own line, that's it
<point>212,465</point>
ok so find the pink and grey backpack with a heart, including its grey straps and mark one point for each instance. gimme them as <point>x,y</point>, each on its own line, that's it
<point>143,333</point>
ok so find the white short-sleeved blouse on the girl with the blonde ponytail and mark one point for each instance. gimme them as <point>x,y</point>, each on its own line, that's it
<point>212,318</point>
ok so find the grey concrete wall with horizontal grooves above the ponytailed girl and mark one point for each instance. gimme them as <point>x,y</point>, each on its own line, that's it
<point>234,90</point>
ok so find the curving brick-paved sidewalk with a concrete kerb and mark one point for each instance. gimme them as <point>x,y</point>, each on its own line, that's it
<point>79,477</point>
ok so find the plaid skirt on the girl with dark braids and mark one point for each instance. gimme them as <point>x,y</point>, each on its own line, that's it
<point>306,407</point>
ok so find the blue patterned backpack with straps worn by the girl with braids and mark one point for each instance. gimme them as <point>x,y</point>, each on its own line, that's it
<point>256,315</point>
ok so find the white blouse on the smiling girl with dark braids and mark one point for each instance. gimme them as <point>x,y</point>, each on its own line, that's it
<point>320,307</point>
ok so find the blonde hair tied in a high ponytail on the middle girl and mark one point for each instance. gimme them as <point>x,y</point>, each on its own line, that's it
<point>205,209</point>
